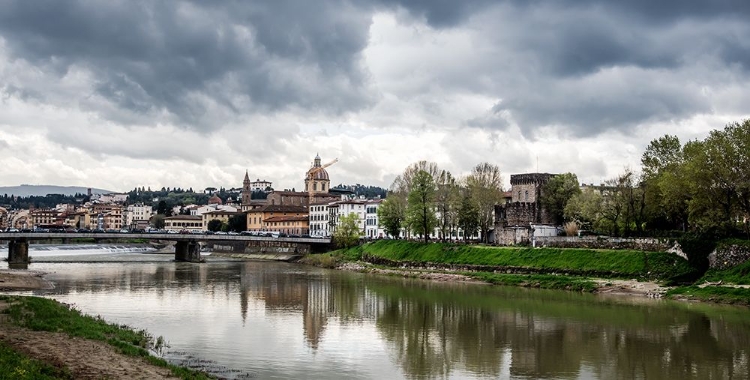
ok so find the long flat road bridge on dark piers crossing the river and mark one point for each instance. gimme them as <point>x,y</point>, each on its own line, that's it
<point>187,246</point>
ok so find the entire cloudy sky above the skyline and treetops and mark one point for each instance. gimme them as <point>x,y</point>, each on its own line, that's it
<point>123,93</point>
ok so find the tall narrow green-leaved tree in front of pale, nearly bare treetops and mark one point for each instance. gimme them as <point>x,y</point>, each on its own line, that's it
<point>420,214</point>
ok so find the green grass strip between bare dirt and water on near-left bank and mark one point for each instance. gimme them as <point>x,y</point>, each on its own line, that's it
<point>42,314</point>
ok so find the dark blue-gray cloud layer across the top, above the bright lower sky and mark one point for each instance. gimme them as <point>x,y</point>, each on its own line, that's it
<point>201,65</point>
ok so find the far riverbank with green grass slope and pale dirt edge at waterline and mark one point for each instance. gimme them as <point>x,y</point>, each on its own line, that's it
<point>626,272</point>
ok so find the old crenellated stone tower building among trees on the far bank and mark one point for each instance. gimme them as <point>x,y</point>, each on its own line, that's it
<point>524,217</point>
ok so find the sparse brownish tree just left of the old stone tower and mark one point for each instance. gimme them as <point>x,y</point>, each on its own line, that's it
<point>485,188</point>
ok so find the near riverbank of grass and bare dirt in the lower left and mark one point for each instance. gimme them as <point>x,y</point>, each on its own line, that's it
<point>41,338</point>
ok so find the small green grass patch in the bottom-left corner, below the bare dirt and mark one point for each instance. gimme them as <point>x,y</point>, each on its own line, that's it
<point>15,365</point>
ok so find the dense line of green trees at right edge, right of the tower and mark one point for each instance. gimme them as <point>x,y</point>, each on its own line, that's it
<point>702,186</point>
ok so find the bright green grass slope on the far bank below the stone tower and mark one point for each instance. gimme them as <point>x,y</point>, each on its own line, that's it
<point>606,263</point>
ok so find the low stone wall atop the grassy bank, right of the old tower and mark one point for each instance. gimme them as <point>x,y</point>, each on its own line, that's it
<point>593,242</point>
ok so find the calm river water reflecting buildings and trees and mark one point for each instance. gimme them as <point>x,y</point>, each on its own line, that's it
<point>269,320</point>
